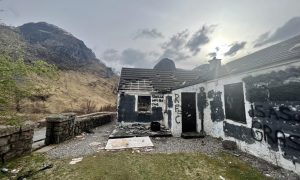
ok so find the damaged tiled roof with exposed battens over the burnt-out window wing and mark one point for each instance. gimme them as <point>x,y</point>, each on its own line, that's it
<point>162,78</point>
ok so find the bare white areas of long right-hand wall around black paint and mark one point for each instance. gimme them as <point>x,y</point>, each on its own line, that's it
<point>215,129</point>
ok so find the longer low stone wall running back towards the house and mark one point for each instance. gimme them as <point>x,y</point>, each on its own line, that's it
<point>62,127</point>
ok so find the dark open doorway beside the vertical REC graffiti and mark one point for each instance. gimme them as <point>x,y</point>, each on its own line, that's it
<point>188,107</point>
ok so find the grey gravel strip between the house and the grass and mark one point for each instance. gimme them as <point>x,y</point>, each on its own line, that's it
<point>87,144</point>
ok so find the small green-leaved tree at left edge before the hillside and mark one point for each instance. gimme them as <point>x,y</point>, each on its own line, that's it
<point>18,80</point>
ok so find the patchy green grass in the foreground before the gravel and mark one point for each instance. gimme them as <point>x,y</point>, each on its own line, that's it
<point>125,165</point>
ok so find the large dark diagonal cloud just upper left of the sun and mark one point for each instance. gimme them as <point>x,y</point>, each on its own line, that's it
<point>200,38</point>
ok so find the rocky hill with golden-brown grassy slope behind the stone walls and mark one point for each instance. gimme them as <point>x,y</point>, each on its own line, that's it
<point>83,80</point>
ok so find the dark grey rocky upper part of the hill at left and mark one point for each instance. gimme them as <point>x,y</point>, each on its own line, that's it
<point>43,41</point>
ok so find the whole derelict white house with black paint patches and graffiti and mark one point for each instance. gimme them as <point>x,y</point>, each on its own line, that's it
<point>253,101</point>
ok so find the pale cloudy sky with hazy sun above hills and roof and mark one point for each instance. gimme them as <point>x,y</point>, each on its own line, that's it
<point>138,33</point>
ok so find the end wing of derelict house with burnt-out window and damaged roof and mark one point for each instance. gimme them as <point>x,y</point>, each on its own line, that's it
<point>145,94</point>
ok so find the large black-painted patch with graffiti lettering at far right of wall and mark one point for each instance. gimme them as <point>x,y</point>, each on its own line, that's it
<point>275,110</point>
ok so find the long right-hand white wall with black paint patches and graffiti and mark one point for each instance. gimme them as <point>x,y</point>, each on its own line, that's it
<point>283,149</point>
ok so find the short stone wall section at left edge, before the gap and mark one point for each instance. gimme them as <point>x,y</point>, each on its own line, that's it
<point>15,141</point>
